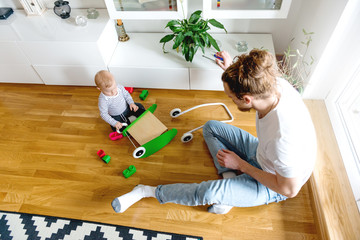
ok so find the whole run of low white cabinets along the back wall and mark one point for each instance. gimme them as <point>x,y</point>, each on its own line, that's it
<point>48,49</point>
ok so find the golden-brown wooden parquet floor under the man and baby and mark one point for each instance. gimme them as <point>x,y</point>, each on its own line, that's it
<point>49,139</point>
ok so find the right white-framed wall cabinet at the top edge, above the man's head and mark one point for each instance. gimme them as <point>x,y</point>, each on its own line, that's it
<point>246,9</point>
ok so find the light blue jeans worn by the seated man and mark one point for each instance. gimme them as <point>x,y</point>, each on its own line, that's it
<point>240,191</point>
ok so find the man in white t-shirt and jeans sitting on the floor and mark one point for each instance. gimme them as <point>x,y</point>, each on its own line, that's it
<point>274,166</point>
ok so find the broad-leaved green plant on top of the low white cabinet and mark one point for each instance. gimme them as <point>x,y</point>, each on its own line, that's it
<point>191,34</point>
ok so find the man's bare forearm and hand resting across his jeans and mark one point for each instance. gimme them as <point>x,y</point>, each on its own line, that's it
<point>288,187</point>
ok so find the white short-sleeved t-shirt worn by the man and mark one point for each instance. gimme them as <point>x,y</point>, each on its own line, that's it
<point>287,139</point>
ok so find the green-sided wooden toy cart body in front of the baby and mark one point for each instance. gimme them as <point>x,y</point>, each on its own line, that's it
<point>149,133</point>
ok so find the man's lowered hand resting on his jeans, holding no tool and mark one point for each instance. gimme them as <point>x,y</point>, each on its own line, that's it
<point>231,160</point>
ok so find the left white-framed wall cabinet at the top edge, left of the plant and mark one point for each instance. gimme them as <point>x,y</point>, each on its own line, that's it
<point>146,9</point>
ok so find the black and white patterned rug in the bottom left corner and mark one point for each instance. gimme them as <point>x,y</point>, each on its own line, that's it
<point>22,226</point>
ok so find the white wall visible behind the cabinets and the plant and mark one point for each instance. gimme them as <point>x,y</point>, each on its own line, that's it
<point>281,29</point>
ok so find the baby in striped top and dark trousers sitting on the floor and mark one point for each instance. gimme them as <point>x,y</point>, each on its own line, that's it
<point>115,103</point>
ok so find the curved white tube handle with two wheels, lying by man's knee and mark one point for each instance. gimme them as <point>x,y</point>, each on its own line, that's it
<point>188,136</point>
